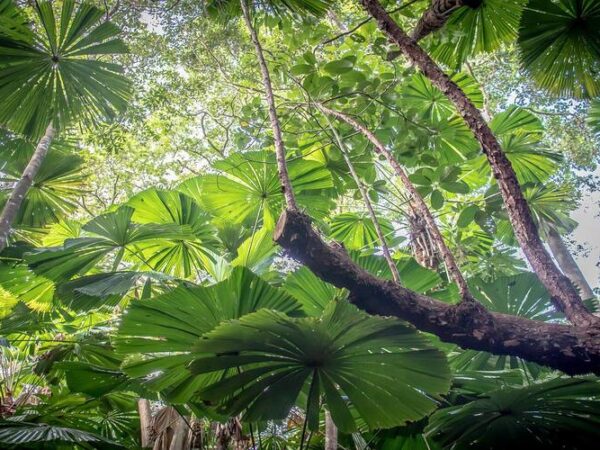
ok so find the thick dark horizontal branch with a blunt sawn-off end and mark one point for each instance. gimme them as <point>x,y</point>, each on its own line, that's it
<point>574,350</point>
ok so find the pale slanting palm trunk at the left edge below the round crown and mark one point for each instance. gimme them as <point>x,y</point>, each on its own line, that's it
<point>17,195</point>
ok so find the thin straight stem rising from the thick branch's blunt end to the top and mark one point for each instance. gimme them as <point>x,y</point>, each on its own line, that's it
<point>286,185</point>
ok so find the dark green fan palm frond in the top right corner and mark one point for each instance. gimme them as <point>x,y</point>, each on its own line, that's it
<point>560,46</point>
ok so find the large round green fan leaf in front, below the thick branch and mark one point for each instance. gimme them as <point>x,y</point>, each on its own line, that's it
<point>346,356</point>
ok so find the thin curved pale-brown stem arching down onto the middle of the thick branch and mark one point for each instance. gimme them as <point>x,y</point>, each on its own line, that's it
<point>416,198</point>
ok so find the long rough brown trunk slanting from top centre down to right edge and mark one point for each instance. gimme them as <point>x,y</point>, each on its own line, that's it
<point>564,295</point>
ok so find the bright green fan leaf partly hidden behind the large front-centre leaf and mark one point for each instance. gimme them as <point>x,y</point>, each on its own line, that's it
<point>163,331</point>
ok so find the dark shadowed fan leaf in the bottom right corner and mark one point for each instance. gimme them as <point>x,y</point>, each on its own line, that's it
<point>558,413</point>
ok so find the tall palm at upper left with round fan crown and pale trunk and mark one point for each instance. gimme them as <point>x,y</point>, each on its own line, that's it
<point>51,76</point>
